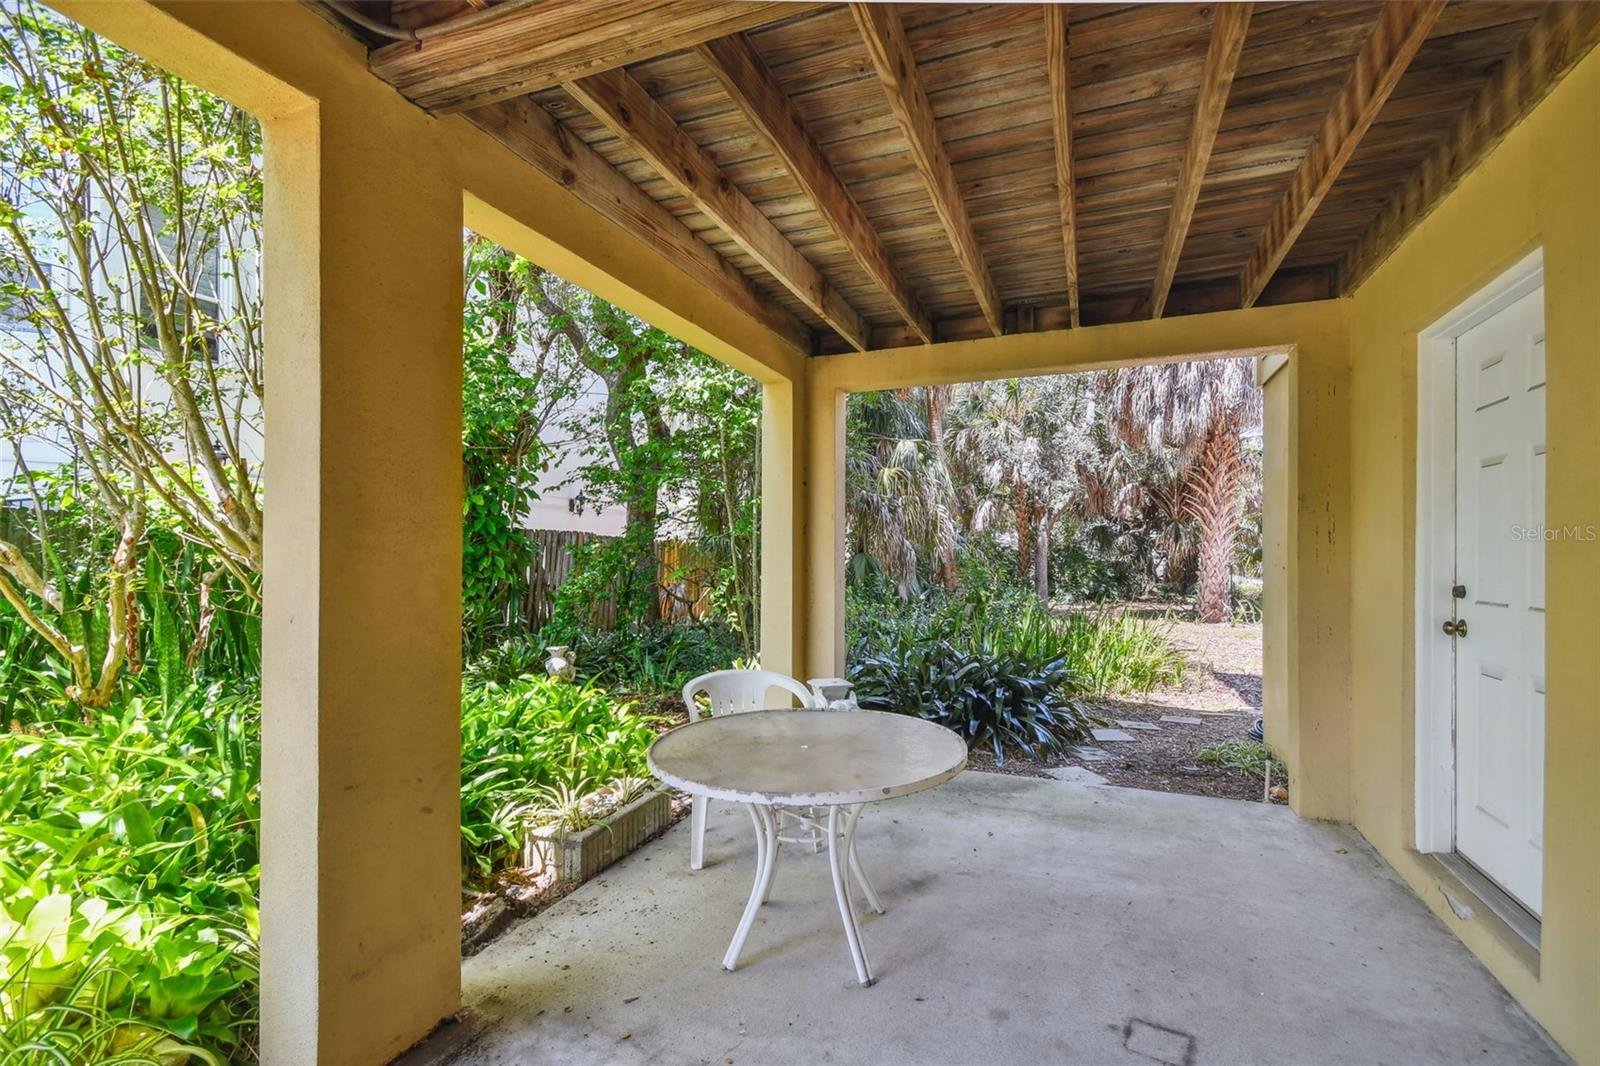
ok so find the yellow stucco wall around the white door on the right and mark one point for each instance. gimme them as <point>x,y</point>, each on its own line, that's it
<point>1540,188</point>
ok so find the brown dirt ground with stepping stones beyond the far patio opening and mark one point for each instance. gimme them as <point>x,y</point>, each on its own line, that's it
<point>1222,687</point>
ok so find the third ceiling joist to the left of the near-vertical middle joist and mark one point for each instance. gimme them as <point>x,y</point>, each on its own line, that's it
<point>623,105</point>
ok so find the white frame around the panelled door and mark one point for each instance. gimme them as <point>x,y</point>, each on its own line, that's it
<point>1436,548</point>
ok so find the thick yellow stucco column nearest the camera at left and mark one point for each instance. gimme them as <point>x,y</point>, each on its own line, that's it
<point>362,617</point>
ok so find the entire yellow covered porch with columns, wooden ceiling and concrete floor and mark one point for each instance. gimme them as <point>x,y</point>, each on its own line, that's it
<point>854,198</point>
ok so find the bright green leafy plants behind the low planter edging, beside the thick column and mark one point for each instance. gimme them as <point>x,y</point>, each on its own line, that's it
<point>524,739</point>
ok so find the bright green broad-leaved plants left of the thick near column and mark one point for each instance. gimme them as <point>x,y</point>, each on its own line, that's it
<point>129,875</point>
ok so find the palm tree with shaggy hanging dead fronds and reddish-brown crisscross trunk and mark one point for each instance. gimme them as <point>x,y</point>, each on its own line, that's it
<point>1201,412</point>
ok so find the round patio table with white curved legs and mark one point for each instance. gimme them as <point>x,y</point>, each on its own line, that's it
<point>809,759</point>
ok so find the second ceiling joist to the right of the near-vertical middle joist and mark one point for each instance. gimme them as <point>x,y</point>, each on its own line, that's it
<point>1401,31</point>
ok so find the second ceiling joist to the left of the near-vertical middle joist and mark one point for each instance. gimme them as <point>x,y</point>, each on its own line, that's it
<point>753,87</point>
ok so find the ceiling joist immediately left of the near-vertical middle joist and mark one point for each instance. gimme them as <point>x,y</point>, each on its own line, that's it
<point>892,57</point>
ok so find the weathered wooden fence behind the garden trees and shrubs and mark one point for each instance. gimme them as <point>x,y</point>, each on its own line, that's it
<point>684,577</point>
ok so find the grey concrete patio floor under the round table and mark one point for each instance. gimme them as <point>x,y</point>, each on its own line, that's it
<point>1028,923</point>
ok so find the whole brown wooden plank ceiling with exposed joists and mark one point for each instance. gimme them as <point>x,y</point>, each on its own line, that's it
<point>881,175</point>
